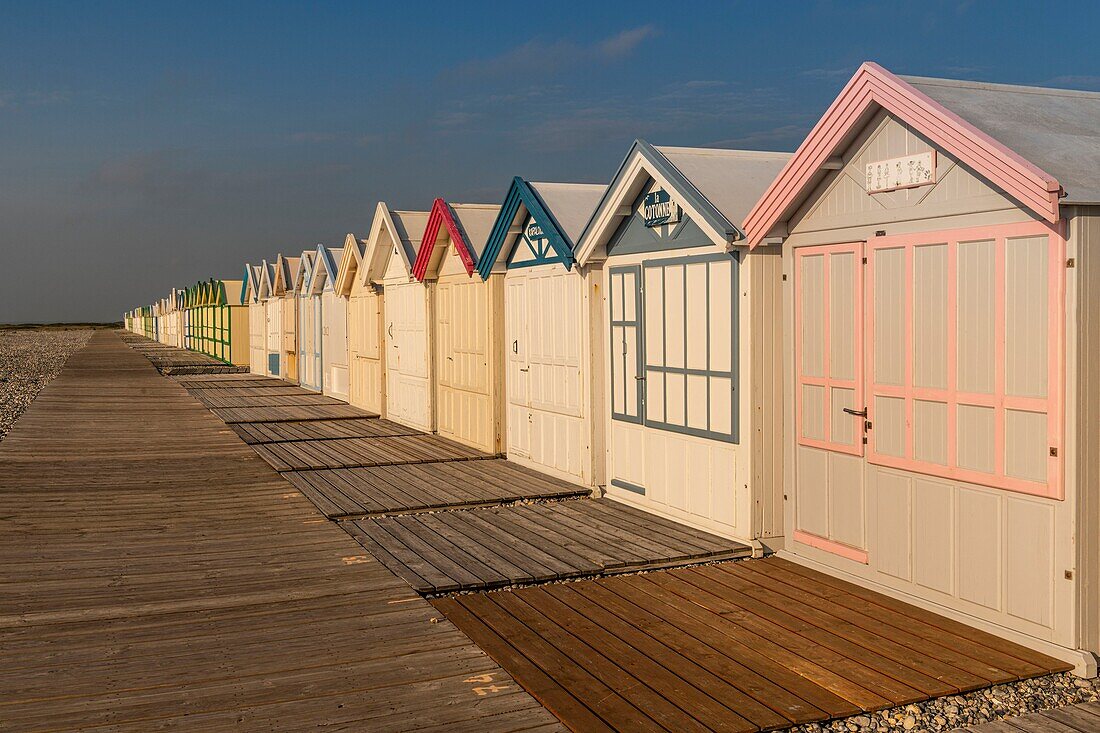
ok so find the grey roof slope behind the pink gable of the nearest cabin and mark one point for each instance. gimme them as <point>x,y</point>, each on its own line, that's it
<point>1058,130</point>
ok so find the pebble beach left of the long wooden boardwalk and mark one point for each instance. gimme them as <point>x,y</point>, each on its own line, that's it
<point>29,359</point>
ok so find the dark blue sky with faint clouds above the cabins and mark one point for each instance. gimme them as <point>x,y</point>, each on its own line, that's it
<point>146,146</point>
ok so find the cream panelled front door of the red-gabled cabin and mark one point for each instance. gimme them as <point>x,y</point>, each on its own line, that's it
<point>465,410</point>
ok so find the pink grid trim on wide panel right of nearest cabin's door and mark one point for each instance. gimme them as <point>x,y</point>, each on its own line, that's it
<point>1052,406</point>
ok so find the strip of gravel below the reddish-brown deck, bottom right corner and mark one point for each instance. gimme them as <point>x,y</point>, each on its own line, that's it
<point>971,709</point>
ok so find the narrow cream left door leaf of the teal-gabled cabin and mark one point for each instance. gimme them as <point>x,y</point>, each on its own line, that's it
<point>519,369</point>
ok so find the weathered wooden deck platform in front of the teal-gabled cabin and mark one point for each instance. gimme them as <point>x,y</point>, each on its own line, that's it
<point>349,494</point>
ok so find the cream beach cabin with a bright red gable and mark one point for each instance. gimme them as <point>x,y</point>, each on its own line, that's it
<point>467,325</point>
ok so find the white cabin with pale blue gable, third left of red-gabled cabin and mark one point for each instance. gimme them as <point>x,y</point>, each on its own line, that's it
<point>333,316</point>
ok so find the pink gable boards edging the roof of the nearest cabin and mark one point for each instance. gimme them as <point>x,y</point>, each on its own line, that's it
<point>874,86</point>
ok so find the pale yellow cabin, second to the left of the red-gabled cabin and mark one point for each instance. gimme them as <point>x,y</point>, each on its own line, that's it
<point>366,388</point>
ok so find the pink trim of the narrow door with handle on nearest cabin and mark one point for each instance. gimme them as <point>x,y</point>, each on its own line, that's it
<point>828,381</point>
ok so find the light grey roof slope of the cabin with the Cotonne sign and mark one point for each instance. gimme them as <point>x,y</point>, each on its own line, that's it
<point>731,180</point>
